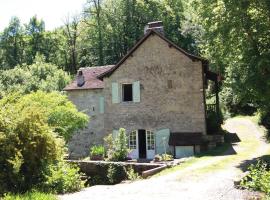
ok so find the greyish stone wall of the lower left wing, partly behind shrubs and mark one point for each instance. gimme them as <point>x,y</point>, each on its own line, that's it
<point>87,101</point>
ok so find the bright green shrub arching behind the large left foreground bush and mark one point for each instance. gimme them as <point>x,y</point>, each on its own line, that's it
<point>60,113</point>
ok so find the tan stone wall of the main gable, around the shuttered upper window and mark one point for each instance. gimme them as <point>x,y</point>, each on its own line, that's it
<point>154,63</point>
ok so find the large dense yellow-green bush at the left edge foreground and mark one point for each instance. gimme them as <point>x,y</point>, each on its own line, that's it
<point>27,145</point>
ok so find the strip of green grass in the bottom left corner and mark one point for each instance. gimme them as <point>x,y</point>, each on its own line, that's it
<point>30,196</point>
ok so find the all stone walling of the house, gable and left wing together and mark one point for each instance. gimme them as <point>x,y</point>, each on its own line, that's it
<point>171,86</point>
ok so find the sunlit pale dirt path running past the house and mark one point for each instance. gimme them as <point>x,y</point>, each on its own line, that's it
<point>205,178</point>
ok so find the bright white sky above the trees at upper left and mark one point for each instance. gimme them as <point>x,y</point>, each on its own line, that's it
<point>53,12</point>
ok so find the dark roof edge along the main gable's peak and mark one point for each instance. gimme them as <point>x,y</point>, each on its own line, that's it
<point>171,44</point>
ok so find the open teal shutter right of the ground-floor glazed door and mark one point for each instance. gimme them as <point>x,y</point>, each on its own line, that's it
<point>162,140</point>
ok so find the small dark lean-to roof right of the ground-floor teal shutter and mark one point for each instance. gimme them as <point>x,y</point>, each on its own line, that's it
<point>184,139</point>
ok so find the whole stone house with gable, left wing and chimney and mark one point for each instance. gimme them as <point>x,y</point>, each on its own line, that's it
<point>156,92</point>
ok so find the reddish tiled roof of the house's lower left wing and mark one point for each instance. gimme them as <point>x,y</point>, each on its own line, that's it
<point>90,76</point>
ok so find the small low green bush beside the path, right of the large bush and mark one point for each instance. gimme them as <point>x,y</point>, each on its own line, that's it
<point>62,178</point>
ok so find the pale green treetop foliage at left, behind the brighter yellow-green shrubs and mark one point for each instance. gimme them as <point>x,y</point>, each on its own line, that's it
<point>38,76</point>
